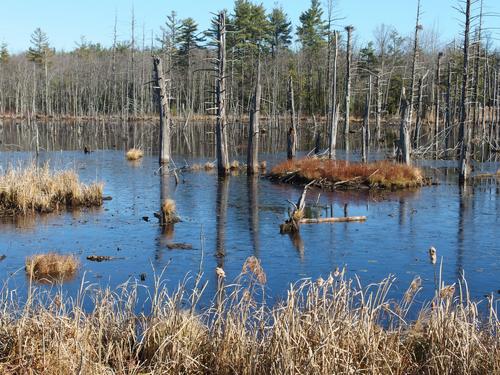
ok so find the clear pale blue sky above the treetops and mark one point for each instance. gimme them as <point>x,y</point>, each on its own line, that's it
<point>66,20</point>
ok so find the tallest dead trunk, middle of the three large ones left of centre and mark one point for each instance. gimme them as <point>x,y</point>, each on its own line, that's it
<point>221,134</point>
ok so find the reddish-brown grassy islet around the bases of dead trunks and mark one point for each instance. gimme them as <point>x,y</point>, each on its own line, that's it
<point>342,174</point>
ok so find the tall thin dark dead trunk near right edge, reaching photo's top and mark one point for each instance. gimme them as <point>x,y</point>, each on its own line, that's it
<point>464,130</point>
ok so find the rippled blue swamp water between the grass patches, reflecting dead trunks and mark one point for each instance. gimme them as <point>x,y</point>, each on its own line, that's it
<point>230,220</point>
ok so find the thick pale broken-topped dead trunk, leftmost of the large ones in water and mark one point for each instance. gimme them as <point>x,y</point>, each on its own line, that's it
<point>164,109</point>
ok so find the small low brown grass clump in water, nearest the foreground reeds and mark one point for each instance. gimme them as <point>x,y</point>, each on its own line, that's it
<point>51,266</point>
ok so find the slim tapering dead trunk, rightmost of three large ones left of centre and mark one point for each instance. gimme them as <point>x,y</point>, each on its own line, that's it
<point>253,129</point>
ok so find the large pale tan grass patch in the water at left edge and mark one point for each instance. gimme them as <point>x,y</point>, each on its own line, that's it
<point>38,189</point>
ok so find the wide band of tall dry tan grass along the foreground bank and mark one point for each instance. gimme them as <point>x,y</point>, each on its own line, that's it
<point>326,326</point>
